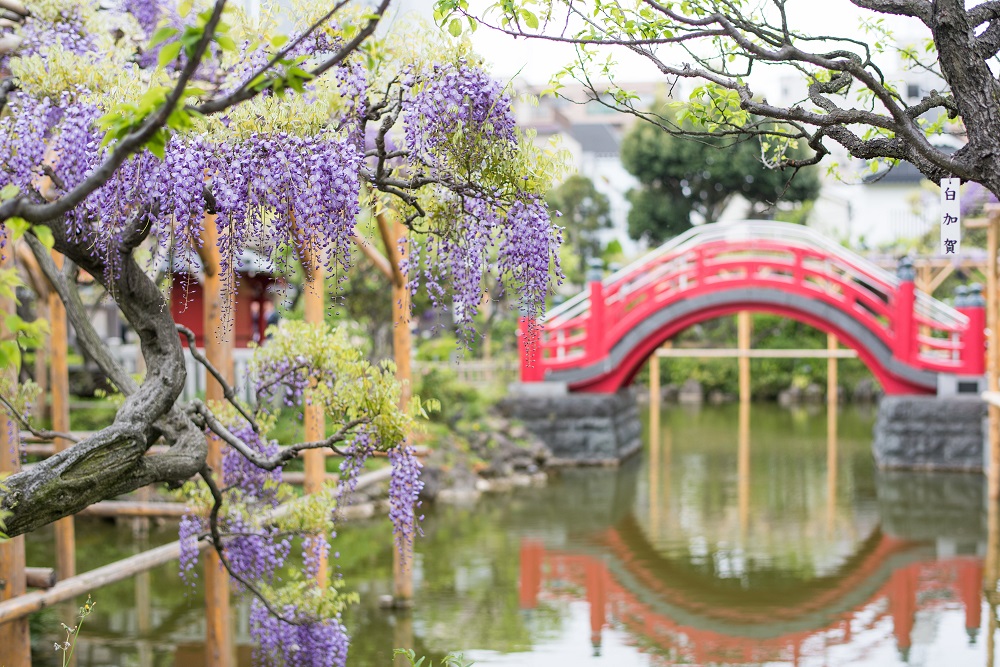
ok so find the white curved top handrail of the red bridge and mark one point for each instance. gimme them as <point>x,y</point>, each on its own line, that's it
<point>798,235</point>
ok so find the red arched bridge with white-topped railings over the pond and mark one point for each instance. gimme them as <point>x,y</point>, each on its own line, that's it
<point>598,340</point>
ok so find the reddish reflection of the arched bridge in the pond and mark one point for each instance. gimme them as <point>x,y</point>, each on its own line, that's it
<point>671,619</point>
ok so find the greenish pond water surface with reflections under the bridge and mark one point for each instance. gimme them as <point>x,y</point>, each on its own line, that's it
<point>718,545</point>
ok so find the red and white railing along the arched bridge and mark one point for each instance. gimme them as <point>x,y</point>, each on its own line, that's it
<point>918,329</point>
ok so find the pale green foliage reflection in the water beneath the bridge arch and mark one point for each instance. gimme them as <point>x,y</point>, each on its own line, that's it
<point>696,512</point>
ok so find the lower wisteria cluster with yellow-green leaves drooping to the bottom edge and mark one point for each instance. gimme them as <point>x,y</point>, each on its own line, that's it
<point>320,367</point>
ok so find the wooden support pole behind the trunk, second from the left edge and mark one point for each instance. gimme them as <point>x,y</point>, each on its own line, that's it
<point>59,387</point>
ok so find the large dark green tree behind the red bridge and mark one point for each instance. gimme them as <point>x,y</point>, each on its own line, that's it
<point>683,177</point>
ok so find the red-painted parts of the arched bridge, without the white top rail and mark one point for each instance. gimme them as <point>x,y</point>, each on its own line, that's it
<point>886,310</point>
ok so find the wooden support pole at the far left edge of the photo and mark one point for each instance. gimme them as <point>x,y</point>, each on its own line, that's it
<point>14,638</point>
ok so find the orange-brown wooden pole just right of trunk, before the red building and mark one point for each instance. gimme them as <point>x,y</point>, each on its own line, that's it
<point>217,300</point>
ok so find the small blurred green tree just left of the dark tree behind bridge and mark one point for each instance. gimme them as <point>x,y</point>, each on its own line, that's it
<point>584,211</point>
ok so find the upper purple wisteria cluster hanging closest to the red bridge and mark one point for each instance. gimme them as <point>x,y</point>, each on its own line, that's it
<point>460,121</point>
